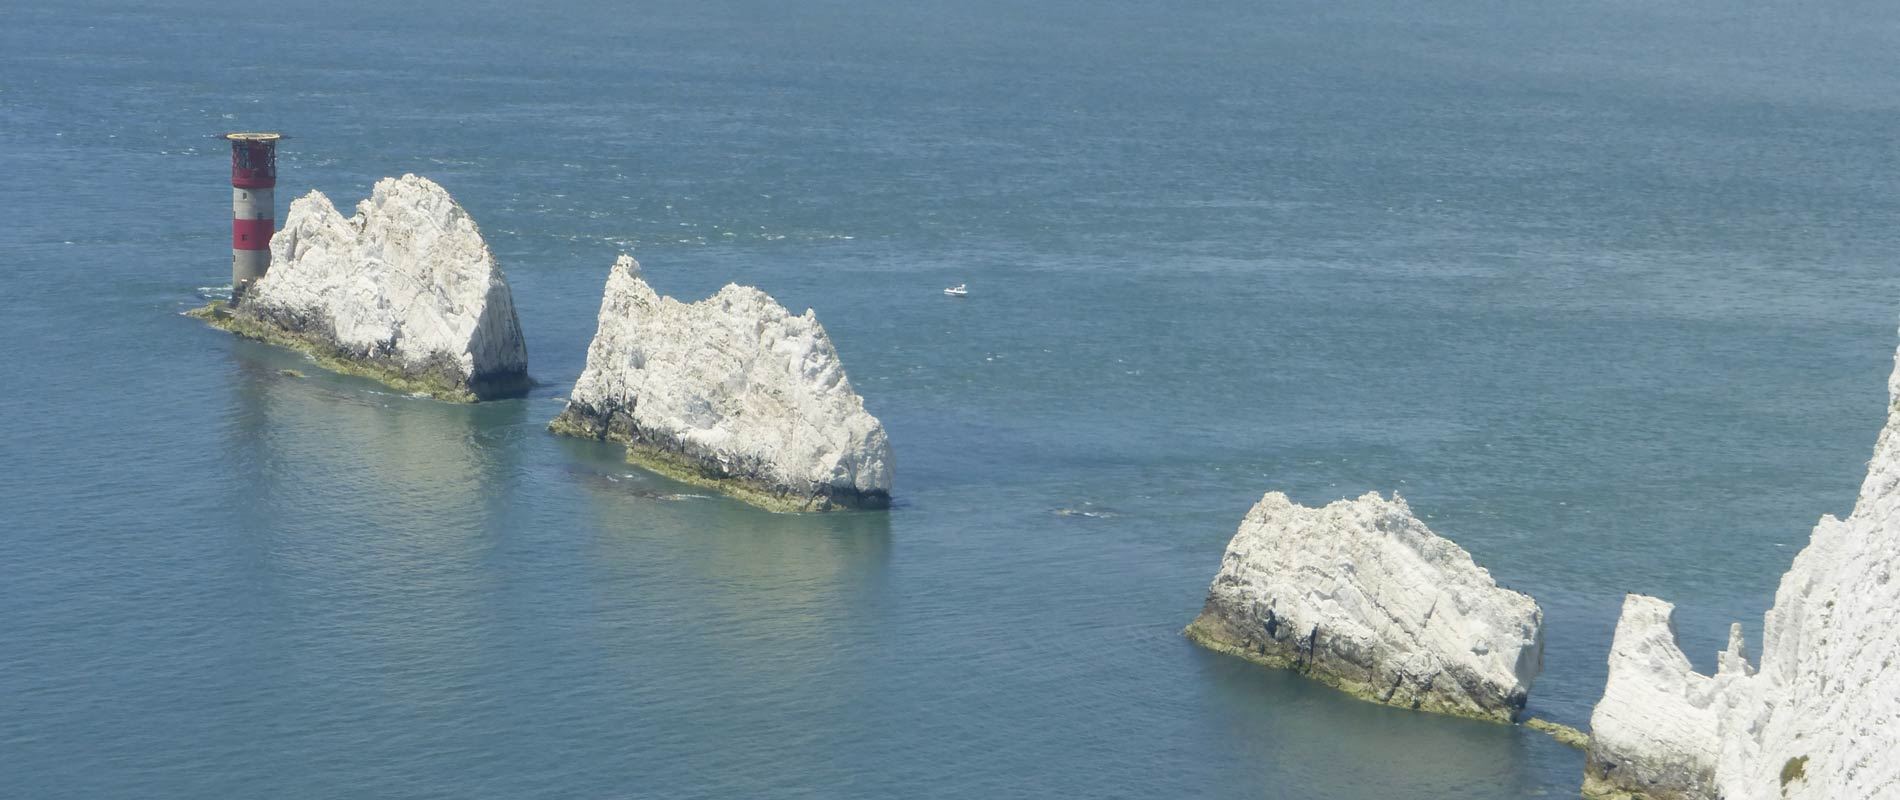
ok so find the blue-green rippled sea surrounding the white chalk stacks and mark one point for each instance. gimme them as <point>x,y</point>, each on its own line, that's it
<point>1605,292</point>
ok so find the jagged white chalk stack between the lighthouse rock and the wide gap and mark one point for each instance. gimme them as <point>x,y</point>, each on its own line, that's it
<point>732,392</point>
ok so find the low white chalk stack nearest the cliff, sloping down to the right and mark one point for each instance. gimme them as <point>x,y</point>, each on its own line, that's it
<point>1365,598</point>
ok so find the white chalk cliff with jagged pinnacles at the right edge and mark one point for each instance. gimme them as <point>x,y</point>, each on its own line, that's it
<point>1819,717</point>
